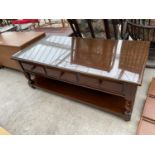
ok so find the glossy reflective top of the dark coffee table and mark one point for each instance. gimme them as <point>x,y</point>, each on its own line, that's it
<point>119,60</point>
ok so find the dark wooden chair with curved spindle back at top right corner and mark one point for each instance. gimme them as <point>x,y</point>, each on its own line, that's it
<point>141,29</point>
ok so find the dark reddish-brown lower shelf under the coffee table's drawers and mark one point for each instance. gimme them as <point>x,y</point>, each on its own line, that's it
<point>107,102</point>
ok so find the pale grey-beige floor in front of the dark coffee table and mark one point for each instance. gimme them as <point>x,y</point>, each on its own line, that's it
<point>24,110</point>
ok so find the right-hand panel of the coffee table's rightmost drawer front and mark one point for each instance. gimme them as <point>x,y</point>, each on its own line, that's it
<point>111,86</point>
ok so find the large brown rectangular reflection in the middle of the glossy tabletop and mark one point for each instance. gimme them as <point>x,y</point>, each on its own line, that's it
<point>99,55</point>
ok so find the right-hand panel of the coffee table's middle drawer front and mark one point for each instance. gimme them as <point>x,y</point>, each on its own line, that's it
<point>68,76</point>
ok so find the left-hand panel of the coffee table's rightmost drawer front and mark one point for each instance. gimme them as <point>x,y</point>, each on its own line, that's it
<point>89,81</point>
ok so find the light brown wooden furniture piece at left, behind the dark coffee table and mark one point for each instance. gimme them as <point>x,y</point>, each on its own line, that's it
<point>12,42</point>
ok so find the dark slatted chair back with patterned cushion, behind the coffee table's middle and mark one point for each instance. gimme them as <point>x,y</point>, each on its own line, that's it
<point>105,28</point>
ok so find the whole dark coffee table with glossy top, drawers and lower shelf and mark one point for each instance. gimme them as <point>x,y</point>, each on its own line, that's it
<point>103,73</point>
